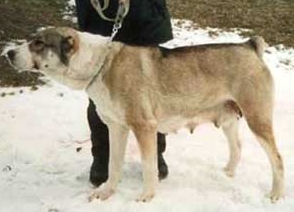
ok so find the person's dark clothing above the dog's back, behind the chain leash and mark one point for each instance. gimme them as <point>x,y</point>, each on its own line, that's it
<point>147,23</point>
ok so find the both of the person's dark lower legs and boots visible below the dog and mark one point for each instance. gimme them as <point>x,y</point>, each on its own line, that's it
<point>100,149</point>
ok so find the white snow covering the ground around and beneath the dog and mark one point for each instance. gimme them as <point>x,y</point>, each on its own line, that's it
<point>41,169</point>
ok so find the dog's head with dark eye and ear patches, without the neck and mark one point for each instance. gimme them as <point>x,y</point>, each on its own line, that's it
<point>49,49</point>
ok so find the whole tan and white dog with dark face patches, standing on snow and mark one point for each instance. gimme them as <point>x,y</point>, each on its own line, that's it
<point>148,89</point>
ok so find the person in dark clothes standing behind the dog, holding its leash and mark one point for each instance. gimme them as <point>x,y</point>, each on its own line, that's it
<point>147,23</point>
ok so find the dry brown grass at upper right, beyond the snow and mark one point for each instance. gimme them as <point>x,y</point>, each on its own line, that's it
<point>273,19</point>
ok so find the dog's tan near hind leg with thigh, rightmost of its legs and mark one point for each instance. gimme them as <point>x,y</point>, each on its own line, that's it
<point>256,101</point>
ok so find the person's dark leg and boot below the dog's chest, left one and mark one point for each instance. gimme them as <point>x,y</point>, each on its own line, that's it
<point>100,147</point>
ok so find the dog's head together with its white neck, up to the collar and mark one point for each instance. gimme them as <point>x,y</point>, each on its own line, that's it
<point>64,54</point>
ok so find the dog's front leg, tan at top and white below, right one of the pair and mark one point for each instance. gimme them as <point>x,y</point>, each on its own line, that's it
<point>146,136</point>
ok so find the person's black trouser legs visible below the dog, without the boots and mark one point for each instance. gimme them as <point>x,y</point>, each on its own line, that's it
<point>100,137</point>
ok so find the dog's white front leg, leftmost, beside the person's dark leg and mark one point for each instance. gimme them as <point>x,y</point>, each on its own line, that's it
<point>118,138</point>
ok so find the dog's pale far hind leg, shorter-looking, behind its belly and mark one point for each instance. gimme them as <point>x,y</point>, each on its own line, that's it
<point>231,132</point>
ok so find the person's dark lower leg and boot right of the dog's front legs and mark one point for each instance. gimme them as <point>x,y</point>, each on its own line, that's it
<point>162,166</point>
